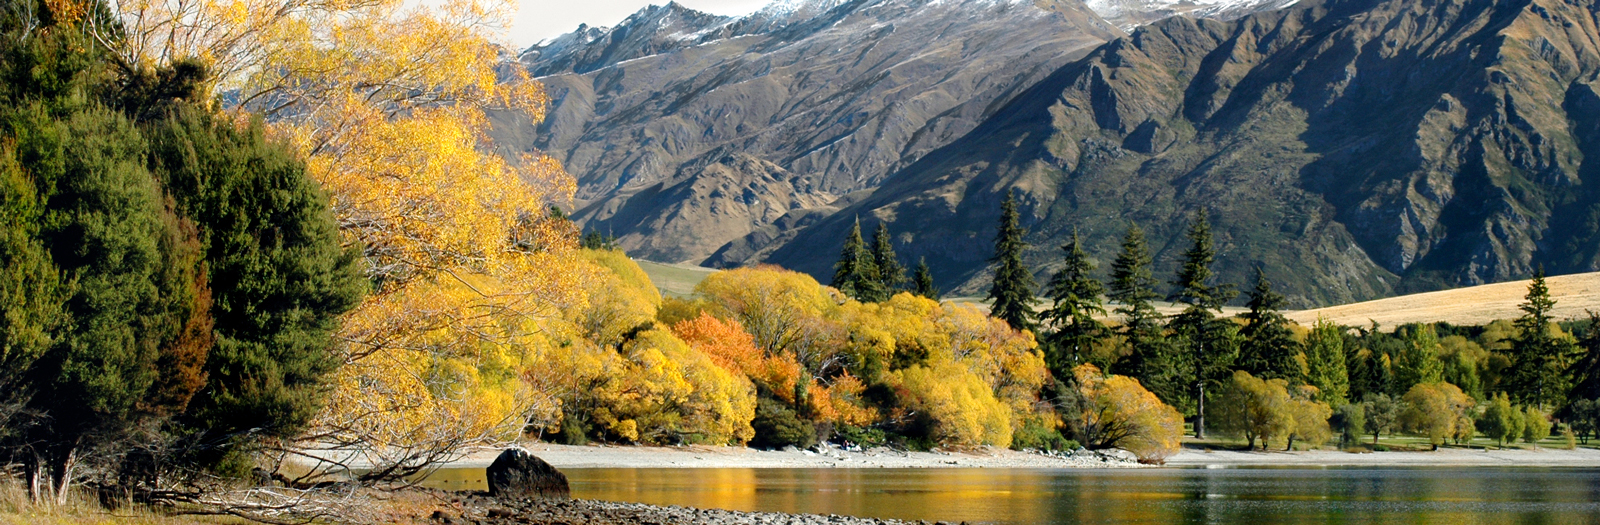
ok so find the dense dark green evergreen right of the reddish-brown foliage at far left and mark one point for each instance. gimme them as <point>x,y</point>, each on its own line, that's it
<point>278,271</point>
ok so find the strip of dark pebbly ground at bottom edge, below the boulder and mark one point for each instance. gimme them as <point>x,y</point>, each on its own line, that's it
<point>481,510</point>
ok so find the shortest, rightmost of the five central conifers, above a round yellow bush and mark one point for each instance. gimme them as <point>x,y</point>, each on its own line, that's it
<point>1268,348</point>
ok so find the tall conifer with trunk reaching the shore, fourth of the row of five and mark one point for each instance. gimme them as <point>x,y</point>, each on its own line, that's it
<point>1210,342</point>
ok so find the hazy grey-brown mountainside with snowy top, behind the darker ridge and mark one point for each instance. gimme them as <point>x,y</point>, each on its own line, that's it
<point>689,132</point>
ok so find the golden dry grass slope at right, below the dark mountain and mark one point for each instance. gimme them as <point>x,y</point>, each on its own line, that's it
<point>1465,307</point>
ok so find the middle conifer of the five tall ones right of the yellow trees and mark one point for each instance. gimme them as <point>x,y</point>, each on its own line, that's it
<point>1134,289</point>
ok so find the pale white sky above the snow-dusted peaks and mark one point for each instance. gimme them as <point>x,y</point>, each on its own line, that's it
<point>540,20</point>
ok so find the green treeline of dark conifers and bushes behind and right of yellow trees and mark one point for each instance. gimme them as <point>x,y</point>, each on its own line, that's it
<point>1196,358</point>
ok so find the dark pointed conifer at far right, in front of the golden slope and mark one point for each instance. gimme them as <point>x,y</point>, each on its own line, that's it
<point>1540,359</point>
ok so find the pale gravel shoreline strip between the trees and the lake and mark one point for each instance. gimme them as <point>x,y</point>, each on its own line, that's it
<point>702,457</point>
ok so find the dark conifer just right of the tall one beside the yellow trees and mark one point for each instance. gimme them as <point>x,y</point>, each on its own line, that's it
<point>1076,299</point>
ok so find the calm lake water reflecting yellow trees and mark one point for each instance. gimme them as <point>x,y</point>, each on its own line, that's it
<point>1257,497</point>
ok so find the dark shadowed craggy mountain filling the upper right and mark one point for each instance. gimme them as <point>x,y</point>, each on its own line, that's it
<point>1353,148</point>
